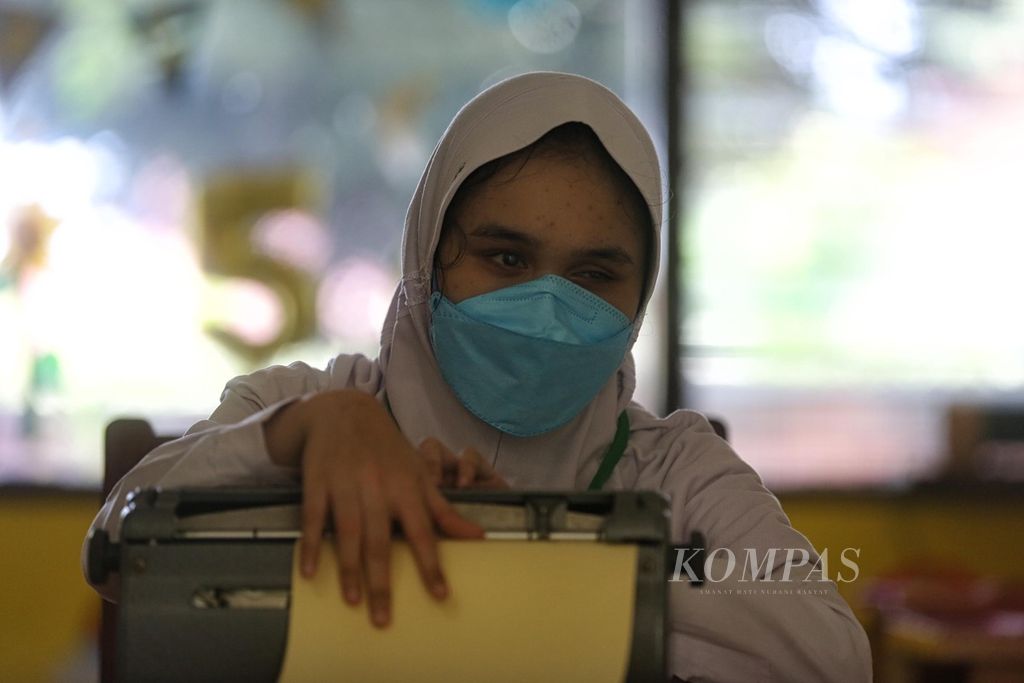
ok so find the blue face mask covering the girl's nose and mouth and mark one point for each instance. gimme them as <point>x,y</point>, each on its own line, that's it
<point>528,359</point>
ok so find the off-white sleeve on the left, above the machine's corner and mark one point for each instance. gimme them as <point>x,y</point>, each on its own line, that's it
<point>227,449</point>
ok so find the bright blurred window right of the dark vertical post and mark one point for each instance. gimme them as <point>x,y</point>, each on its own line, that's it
<point>854,228</point>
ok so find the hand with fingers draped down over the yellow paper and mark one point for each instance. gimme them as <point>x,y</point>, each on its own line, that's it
<point>360,469</point>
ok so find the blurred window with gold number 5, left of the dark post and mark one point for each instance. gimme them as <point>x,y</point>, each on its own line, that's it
<point>195,190</point>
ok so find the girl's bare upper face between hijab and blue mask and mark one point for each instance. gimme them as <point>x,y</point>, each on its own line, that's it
<point>549,217</point>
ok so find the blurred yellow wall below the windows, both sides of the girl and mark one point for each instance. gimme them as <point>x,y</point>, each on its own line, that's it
<point>48,613</point>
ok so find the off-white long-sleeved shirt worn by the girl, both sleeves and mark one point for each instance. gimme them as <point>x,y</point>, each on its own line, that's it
<point>735,629</point>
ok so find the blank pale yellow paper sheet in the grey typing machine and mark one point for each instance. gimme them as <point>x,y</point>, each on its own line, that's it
<point>517,612</point>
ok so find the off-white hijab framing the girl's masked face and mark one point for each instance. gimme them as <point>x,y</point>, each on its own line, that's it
<point>503,119</point>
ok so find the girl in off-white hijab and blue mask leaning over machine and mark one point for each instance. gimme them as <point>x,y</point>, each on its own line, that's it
<point>530,254</point>
